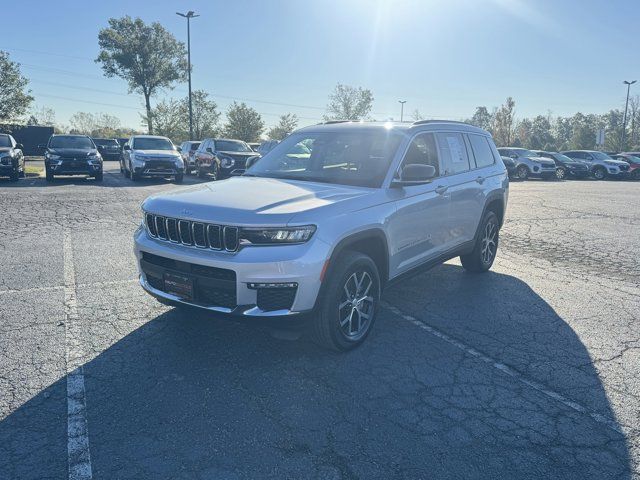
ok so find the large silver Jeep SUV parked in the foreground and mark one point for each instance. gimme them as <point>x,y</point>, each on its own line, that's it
<point>323,222</point>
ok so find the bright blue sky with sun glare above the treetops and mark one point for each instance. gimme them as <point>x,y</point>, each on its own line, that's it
<point>443,57</point>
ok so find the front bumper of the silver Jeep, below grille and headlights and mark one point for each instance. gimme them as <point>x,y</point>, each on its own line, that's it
<point>290,264</point>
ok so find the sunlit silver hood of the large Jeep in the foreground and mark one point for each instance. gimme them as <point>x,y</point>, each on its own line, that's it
<point>256,201</point>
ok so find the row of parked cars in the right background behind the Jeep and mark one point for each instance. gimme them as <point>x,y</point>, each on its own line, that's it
<point>522,164</point>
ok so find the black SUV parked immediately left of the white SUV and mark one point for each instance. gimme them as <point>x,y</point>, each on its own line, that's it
<point>72,155</point>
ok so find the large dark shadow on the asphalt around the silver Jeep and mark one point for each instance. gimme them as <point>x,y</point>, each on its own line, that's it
<point>187,395</point>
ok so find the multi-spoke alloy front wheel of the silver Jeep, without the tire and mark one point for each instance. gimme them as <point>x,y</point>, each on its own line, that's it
<point>356,307</point>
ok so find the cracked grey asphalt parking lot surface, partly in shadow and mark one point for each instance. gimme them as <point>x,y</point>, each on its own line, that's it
<point>529,371</point>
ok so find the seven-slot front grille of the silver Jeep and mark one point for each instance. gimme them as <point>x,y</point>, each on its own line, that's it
<point>186,232</point>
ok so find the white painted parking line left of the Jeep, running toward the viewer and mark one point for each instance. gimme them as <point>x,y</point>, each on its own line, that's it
<point>78,457</point>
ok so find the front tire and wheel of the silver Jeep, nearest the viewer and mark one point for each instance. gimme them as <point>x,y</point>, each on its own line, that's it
<point>349,303</point>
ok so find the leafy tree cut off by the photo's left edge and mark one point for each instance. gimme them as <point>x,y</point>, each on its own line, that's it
<point>15,98</point>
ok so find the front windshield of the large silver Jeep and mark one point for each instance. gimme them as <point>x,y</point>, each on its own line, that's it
<point>354,158</point>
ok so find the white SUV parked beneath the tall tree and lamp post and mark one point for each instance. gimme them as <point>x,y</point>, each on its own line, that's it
<point>151,156</point>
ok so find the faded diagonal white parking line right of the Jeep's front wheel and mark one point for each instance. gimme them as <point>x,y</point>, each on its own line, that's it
<point>505,369</point>
